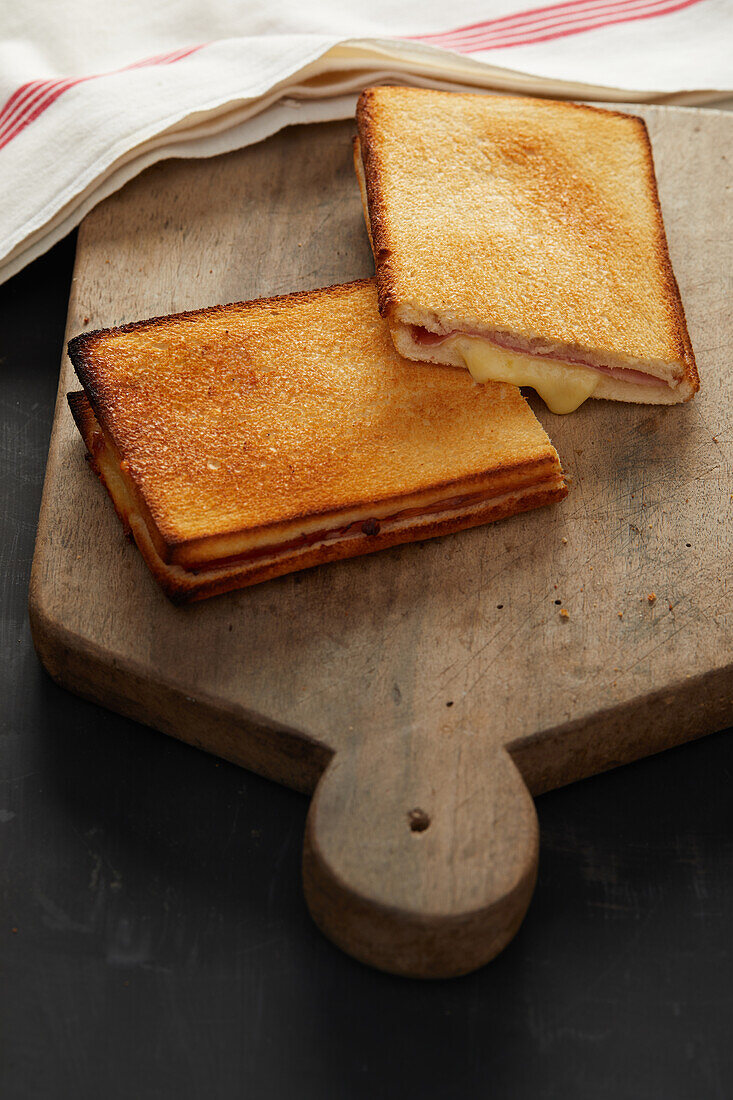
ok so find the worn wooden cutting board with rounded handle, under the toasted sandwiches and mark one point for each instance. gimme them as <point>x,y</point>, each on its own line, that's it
<point>424,694</point>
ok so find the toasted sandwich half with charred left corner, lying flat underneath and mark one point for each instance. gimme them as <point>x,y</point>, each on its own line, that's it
<point>246,442</point>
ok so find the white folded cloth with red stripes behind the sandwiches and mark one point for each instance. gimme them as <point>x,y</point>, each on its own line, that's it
<point>94,94</point>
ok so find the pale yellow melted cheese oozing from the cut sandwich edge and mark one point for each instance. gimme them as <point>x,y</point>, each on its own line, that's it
<point>563,387</point>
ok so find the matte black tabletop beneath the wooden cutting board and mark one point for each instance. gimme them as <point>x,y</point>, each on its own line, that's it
<point>155,941</point>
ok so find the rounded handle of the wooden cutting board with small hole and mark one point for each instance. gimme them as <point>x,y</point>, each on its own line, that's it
<point>421,852</point>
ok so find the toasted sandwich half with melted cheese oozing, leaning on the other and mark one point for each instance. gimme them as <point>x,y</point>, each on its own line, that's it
<point>523,238</point>
